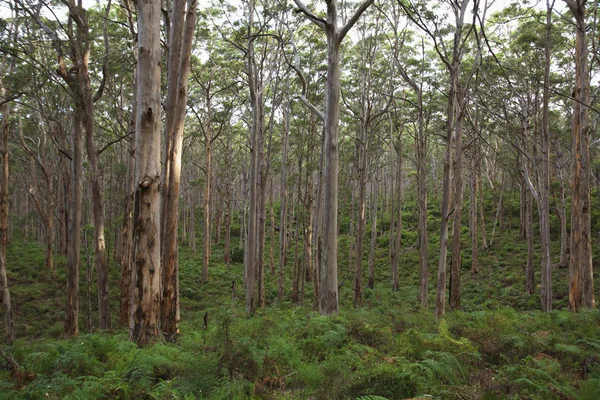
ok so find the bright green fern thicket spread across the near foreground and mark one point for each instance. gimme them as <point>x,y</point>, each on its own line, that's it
<point>293,353</point>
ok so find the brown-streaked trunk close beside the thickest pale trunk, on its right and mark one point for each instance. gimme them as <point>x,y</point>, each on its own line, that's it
<point>180,67</point>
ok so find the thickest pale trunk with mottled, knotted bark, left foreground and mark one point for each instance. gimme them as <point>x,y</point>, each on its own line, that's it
<point>145,302</point>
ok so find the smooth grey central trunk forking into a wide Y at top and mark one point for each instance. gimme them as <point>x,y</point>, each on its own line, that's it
<point>329,299</point>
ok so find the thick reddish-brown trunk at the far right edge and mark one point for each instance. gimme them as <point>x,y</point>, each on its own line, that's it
<point>581,287</point>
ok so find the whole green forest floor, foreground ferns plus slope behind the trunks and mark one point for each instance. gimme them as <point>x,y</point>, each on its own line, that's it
<point>499,346</point>
